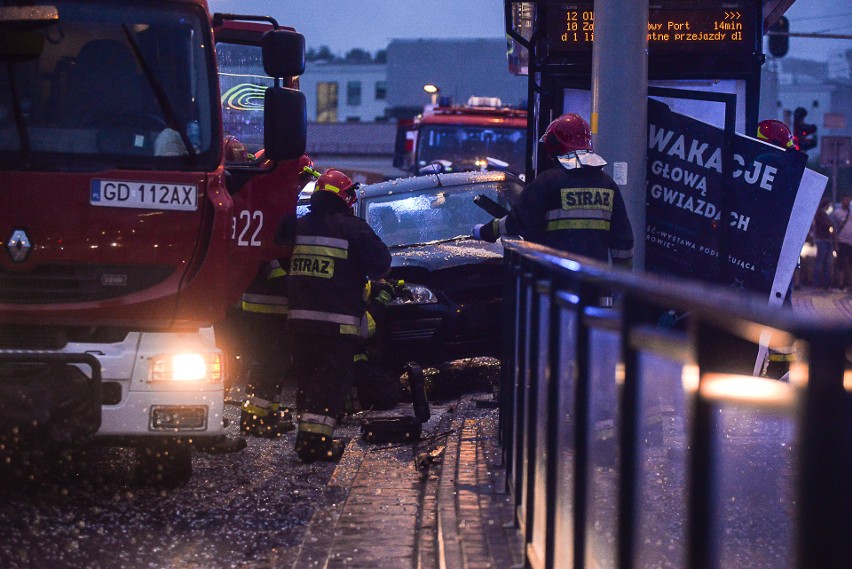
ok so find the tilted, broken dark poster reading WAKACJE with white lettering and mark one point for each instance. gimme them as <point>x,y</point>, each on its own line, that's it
<point>725,222</point>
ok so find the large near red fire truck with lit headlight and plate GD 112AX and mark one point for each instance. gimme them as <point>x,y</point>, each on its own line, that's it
<point>126,234</point>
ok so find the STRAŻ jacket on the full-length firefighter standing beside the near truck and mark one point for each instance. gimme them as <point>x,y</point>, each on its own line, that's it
<point>334,253</point>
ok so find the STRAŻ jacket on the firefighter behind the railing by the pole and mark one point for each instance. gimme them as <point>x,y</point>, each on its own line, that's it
<point>580,211</point>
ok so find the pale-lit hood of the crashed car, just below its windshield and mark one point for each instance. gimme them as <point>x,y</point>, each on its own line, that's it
<point>446,254</point>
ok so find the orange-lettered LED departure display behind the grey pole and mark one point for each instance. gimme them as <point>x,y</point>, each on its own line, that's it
<point>675,27</point>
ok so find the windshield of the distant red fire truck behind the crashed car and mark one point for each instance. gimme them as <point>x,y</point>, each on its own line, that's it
<point>468,147</point>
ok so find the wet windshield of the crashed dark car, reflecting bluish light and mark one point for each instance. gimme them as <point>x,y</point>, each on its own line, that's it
<point>435,214</point>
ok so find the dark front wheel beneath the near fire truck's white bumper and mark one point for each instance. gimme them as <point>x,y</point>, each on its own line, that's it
<point>166,462</point>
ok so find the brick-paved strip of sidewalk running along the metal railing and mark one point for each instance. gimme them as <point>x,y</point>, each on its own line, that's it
<point>452,511</point>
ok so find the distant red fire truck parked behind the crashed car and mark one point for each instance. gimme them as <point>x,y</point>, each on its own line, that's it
<point>481,135</point>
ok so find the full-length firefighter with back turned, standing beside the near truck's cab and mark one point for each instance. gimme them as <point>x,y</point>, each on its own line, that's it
<point>334,254</point>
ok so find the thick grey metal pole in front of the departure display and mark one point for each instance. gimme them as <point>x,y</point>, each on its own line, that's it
<point>619,118</point>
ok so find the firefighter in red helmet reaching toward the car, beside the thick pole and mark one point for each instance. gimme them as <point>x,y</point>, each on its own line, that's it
<point>574,206</point>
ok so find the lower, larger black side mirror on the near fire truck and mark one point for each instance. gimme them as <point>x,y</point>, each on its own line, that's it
<point>285,123</point>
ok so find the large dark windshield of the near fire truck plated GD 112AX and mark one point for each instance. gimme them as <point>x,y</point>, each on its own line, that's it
<point>109,85</point>
